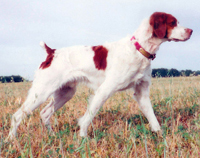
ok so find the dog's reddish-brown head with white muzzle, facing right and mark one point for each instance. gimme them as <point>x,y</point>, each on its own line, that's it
<point>165,26</point>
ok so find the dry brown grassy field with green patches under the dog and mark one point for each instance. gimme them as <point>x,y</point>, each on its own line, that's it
<point>118,130</point>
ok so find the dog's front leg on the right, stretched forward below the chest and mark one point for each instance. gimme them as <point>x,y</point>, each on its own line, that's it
<point>142,97</point>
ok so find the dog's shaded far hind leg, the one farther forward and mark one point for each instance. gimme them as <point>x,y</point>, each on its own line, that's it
<point>60,97</point>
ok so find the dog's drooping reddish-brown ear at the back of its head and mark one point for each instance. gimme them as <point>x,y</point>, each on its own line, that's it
<point>158,22</point>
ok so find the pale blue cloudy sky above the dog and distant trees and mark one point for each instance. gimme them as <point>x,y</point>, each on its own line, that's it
<point>64,23</point>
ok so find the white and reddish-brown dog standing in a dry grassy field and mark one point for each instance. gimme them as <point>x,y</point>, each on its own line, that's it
<point>108,68</point>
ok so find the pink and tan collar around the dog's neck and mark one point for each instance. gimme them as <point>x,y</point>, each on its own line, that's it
<point>143,51</point>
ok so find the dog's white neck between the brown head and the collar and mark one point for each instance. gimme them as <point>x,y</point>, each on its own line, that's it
<point>144,36</point>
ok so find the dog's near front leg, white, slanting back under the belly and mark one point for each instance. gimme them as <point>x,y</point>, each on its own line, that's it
<point>101,95</point>
